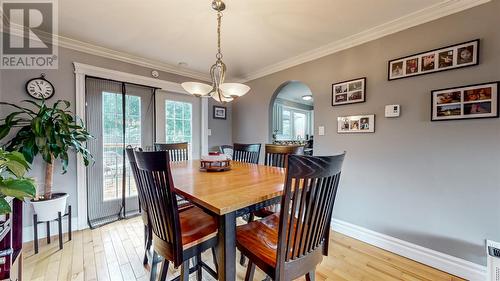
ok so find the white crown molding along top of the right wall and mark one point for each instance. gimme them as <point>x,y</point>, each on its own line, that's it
<point>419,17</point>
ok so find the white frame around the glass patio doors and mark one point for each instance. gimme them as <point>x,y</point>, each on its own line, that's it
<point>83,70</point>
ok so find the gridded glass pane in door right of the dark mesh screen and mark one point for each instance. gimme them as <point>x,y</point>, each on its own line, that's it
<point>178,120</point>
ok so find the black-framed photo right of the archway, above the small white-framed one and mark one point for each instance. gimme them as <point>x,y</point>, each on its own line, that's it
<point>347,92</point>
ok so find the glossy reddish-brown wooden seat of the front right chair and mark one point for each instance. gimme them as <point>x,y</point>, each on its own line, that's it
<point>258,241</point>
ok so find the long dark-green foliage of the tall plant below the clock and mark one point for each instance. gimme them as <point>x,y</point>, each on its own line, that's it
<point>46,130</point>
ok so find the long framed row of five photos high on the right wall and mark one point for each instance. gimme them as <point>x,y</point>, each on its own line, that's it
<point>442,59</point>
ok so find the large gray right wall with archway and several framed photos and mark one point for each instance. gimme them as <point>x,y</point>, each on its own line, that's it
<point>435,184</point>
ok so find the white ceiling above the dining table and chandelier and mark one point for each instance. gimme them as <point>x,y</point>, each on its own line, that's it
<point>256,34</point>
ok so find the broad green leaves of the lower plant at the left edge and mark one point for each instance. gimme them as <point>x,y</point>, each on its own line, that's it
<point>13,168</point>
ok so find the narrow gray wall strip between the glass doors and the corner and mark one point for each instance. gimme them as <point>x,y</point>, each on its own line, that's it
<point>221,129</point>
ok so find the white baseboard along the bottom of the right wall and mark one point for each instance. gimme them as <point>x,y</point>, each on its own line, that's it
<point>453,265</point>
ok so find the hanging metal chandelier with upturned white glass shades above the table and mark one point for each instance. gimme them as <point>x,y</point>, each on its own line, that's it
<point>219,91</point>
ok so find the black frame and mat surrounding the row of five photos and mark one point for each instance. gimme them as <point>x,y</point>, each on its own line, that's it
<point>455,64</point>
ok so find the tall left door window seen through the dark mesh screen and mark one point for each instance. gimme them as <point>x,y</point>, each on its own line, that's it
<point>113,142</point>
